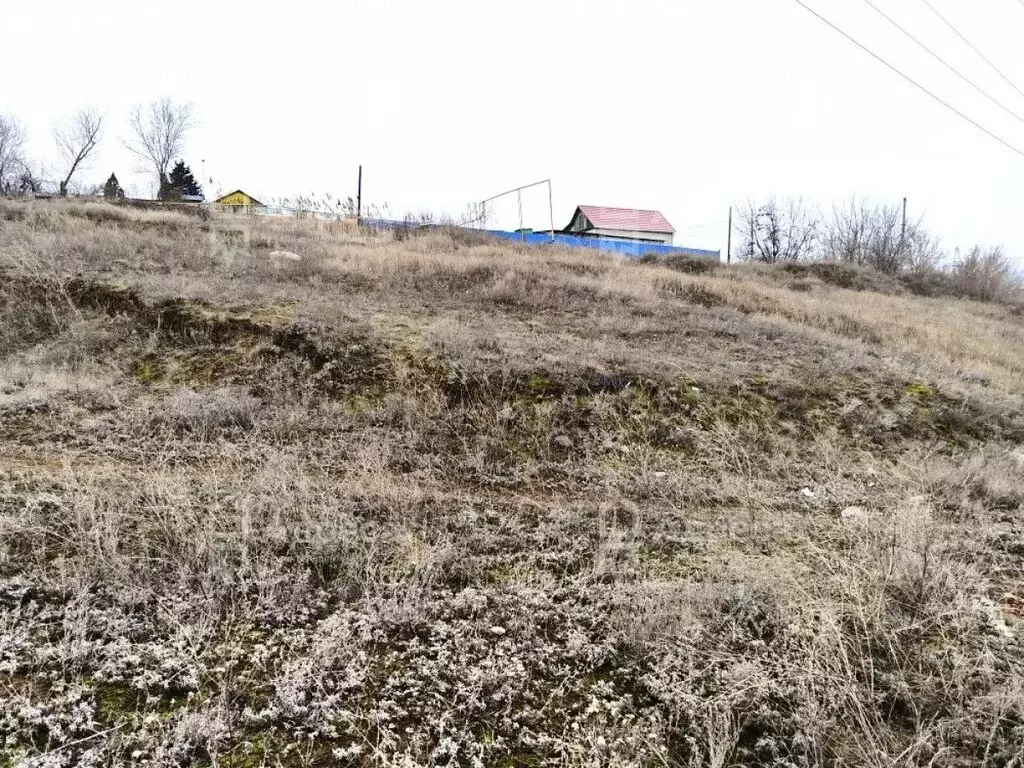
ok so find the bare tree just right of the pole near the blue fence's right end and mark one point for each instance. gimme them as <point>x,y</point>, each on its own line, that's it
<point>773,233</point>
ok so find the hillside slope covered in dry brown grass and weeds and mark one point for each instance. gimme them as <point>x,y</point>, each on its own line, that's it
<point>447,502</point>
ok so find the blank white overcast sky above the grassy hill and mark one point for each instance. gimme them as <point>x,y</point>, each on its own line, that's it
<point>686,107</point>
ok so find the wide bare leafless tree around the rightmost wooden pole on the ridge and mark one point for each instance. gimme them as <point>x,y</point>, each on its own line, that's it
<point>873,235</point>
